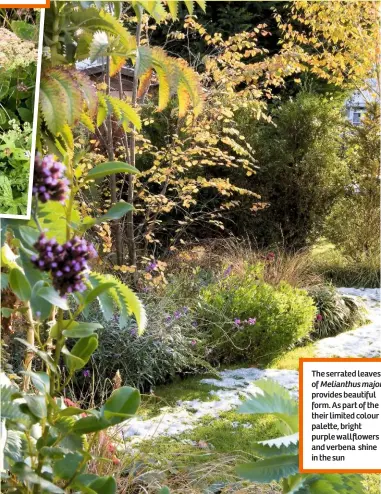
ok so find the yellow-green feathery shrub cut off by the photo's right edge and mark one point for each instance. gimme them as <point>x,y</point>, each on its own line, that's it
<point>354,222</point>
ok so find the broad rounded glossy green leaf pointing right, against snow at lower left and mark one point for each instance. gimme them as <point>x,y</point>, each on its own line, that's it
<point>122,404</point>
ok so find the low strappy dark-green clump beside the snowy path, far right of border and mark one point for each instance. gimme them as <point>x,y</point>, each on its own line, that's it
<point>336,312</point>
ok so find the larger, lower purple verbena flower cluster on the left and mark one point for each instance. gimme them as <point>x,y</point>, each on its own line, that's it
<point>67,263</point>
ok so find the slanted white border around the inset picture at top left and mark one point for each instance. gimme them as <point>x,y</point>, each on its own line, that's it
<point>35,120</point>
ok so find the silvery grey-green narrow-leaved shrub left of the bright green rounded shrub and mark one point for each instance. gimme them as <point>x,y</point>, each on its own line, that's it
<point>169,346</point>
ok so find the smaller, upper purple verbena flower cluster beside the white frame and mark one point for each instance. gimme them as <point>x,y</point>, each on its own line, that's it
<point>49,182</point>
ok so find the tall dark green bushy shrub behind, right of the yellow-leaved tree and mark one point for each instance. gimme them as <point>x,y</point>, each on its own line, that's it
<point>299,170</point>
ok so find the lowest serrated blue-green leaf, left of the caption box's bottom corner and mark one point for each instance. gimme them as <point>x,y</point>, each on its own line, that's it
<point>270,469</point>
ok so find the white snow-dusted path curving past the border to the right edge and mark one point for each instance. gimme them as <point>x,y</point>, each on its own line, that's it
<point>234,384</point>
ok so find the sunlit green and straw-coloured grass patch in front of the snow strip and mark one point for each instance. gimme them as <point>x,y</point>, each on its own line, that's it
<point>209,453</point>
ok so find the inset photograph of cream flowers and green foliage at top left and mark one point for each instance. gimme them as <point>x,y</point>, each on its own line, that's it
<point>19,75</point>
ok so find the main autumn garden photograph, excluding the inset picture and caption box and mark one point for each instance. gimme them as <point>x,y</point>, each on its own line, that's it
<point>205,212</point>
